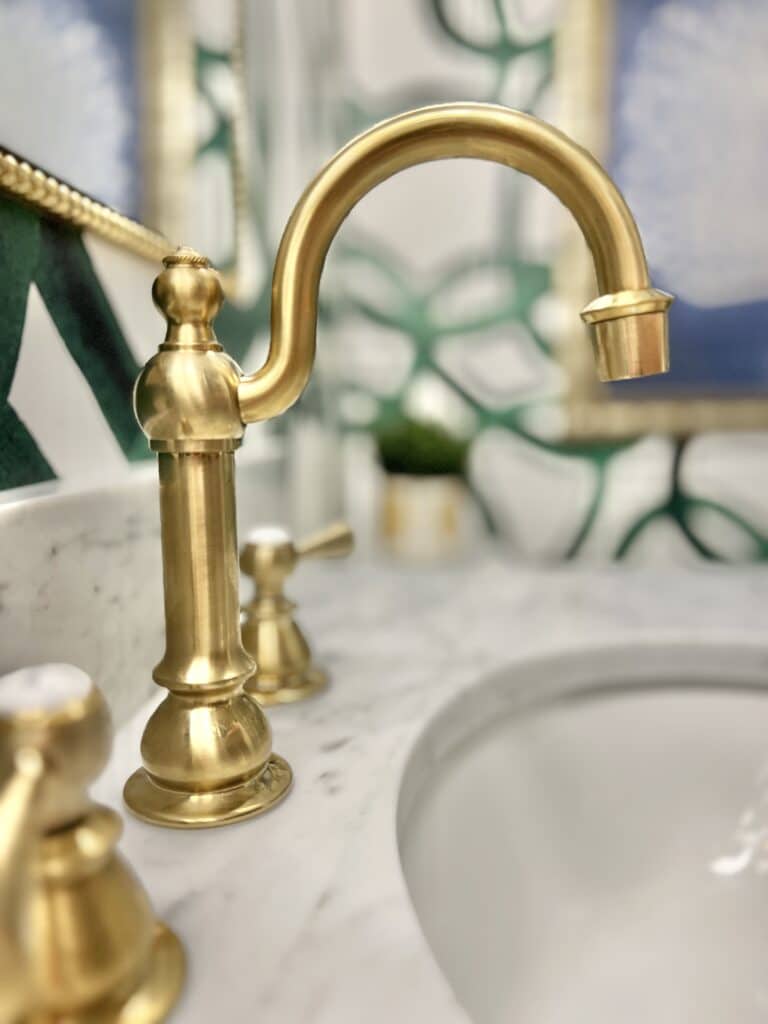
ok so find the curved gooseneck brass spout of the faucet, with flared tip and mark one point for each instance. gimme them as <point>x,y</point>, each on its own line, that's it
<point>629,316</point>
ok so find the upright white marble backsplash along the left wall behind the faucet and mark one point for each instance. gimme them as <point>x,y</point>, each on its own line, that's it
<point>81,574</point>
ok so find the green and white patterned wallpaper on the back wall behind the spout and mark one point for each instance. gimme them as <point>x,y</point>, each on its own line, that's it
<point>452,311</point>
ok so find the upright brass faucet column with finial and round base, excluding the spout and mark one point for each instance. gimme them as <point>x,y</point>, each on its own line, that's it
<point>207,749</point>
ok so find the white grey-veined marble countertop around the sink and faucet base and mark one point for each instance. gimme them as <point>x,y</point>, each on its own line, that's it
<point>303,916</point>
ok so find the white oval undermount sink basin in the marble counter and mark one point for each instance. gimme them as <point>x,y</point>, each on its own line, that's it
<point>585,838</point>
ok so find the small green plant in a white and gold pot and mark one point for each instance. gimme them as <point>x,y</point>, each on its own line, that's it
<point>425,500</point>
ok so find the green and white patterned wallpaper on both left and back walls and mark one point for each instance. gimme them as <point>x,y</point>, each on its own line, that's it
<point>440,303</point>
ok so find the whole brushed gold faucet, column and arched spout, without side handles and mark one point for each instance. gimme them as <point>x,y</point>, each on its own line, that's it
<point>207,749</point>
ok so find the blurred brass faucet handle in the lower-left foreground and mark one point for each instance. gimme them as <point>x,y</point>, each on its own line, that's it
<point>79,943</point>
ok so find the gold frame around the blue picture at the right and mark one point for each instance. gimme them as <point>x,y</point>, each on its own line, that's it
<point>594,413</point>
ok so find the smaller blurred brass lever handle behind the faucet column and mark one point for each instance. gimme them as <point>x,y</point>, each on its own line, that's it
<point>285,672</point>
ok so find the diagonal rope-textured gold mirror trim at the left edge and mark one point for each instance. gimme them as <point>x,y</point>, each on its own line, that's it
<point>47,194</point>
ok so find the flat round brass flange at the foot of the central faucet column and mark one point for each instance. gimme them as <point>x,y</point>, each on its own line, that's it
<point>161,805</point>
